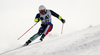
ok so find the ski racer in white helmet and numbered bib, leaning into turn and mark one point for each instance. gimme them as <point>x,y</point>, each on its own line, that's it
<point>44,16</point>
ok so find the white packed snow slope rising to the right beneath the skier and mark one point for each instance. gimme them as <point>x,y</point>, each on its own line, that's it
<point>83,42</point>
